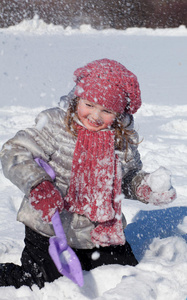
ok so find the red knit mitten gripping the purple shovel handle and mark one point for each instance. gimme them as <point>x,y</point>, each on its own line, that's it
<point>47,198</point>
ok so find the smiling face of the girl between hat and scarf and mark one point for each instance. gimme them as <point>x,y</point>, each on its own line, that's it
<point>94,116</point>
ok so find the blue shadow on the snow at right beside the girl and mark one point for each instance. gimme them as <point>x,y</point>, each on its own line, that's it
<point>148,225</point>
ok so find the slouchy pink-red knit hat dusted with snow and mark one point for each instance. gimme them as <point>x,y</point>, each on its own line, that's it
<point>108,83</point>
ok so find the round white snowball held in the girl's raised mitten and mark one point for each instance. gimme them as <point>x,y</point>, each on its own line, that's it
<point>160,180</point>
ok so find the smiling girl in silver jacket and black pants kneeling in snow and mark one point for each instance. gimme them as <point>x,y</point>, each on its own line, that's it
<point>92,148</point>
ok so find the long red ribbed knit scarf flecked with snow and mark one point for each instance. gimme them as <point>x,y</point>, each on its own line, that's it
<point>95,185</point>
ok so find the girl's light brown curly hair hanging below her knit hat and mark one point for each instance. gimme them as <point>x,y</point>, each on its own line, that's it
<point>121,131</point>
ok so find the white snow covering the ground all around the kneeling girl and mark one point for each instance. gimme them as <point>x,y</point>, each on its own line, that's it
<point>36,68</point>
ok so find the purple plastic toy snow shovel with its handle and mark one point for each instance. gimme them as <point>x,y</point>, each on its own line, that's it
<point>63,256</point>
